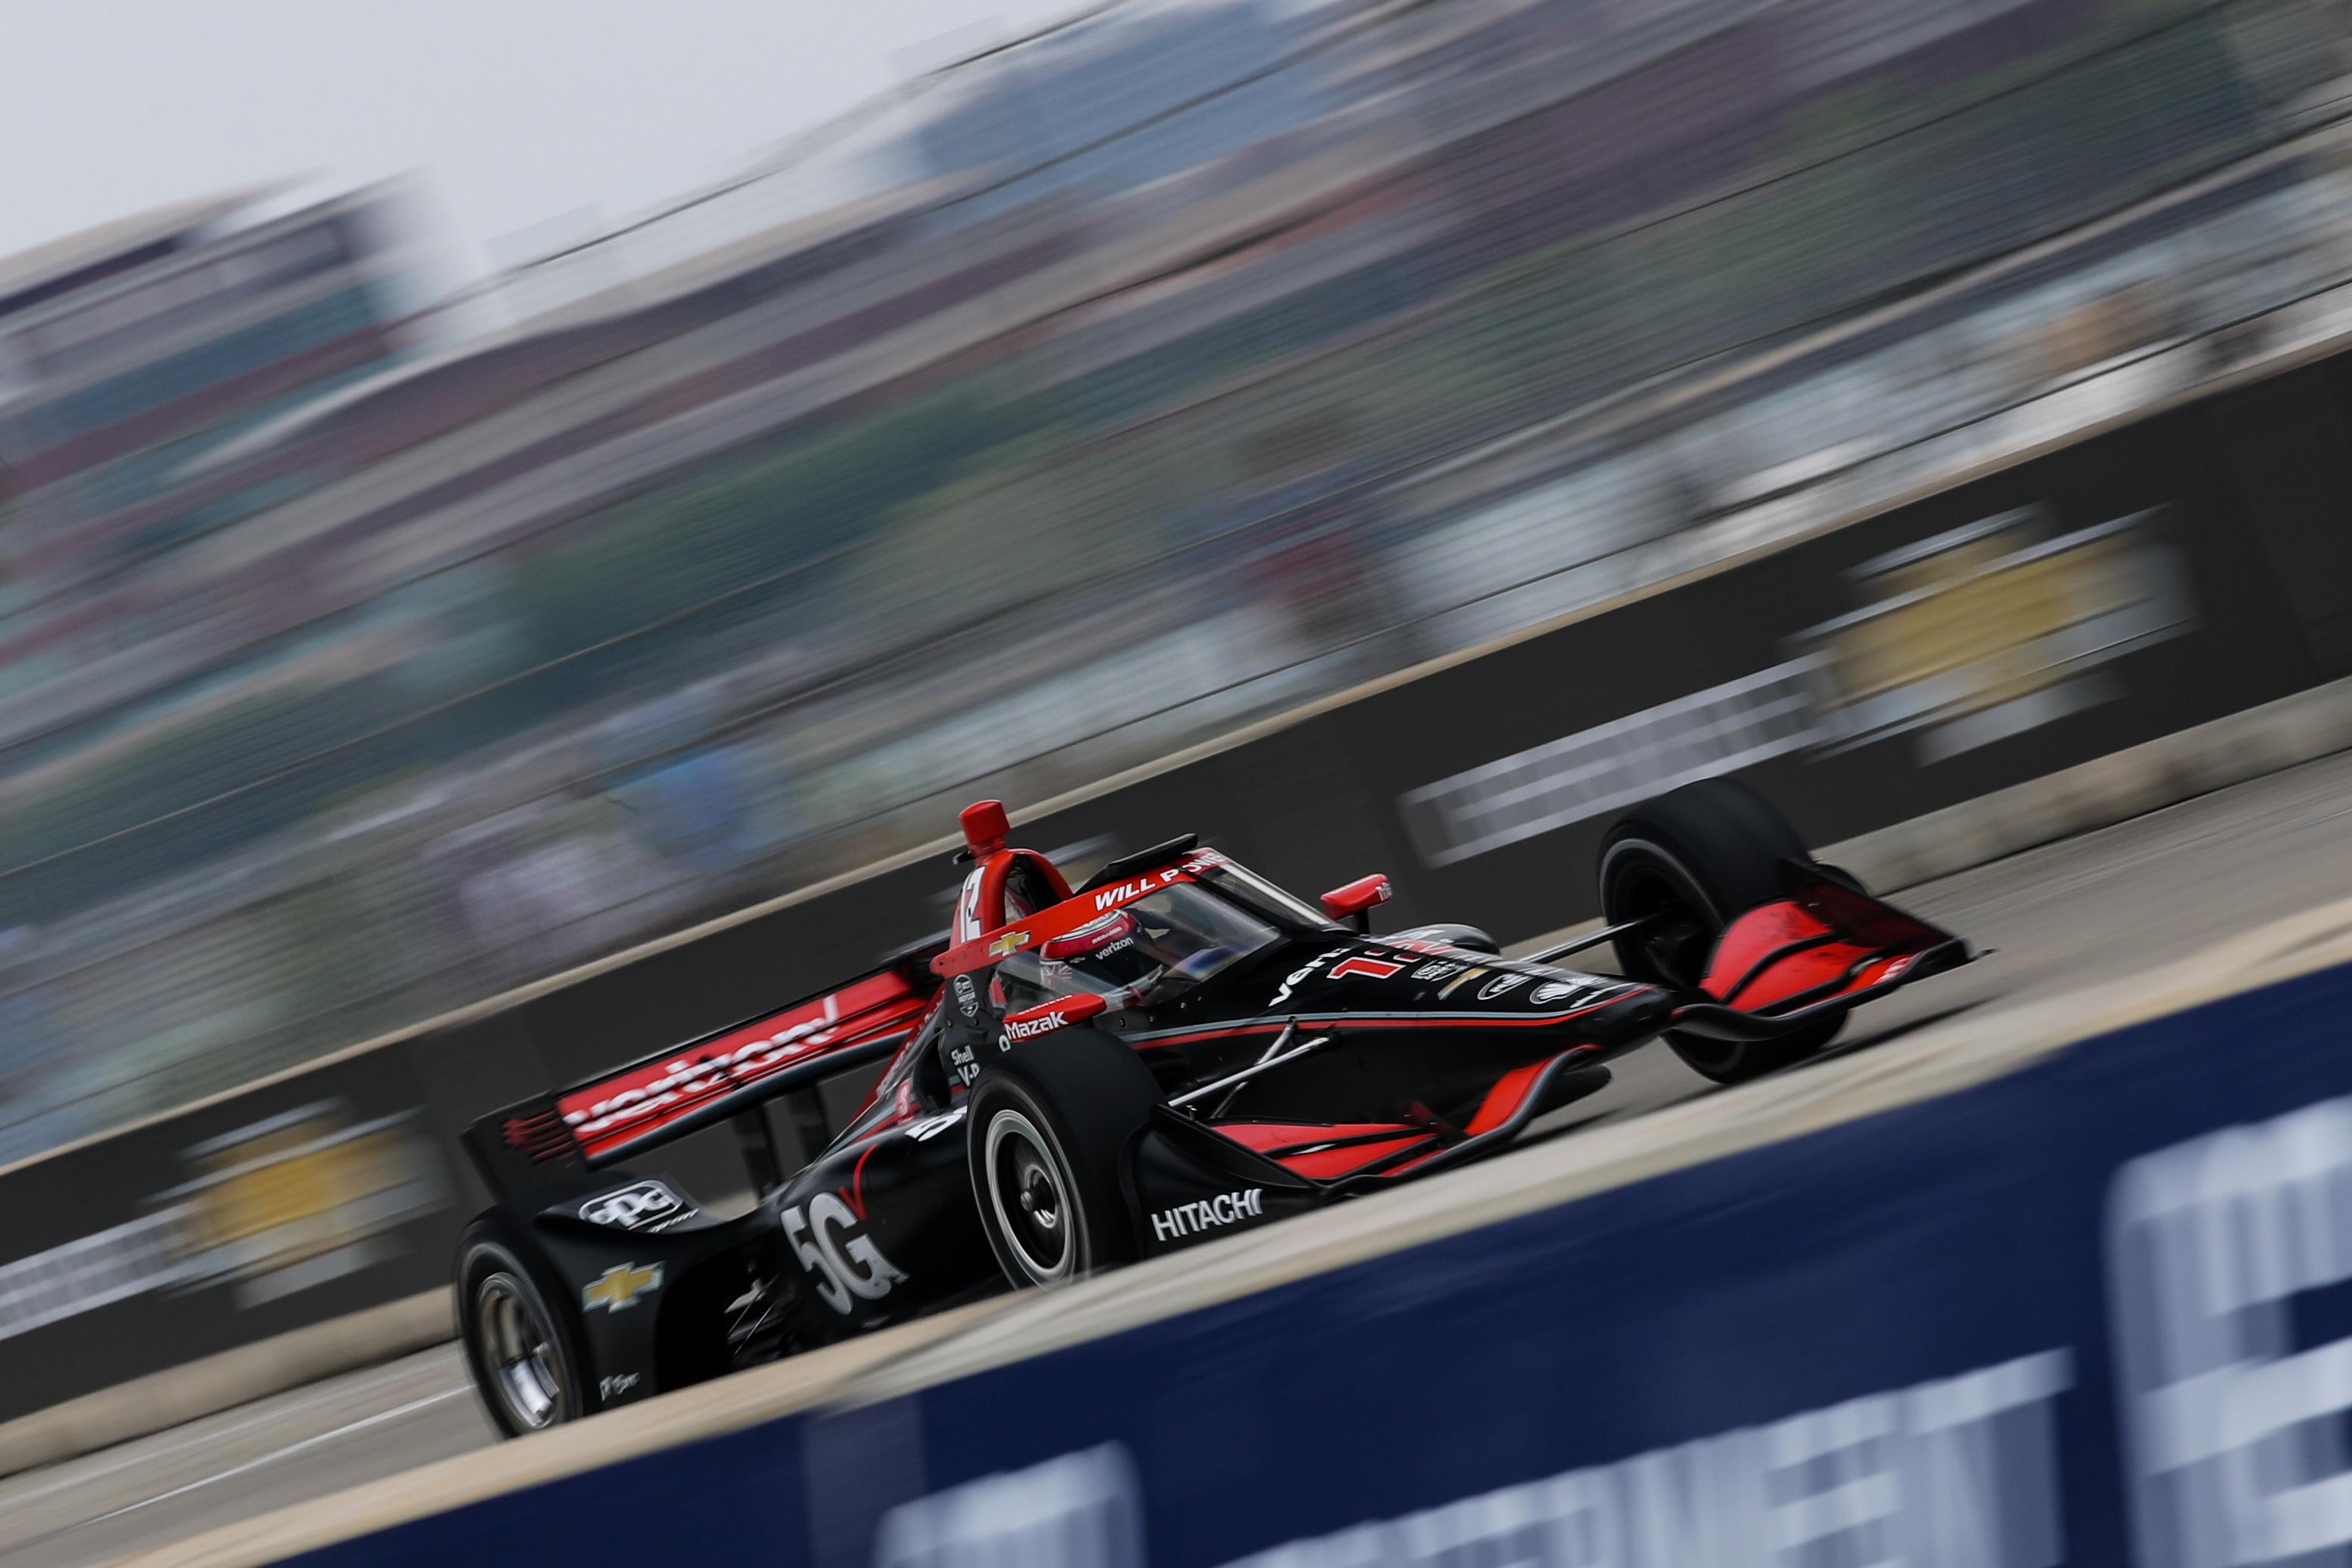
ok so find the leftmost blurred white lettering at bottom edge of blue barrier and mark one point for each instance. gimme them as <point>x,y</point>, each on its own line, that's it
<point>1081,1510</point>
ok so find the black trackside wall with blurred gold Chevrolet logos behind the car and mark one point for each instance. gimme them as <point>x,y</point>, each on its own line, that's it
<point>2054,610</point>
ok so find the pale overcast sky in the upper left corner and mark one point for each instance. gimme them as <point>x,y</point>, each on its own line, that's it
<point>516,114</point>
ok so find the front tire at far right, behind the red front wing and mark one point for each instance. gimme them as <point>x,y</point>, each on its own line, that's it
<point>1690,864</point>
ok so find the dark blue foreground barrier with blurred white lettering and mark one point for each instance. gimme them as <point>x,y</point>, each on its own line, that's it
<point>2092,1313</point>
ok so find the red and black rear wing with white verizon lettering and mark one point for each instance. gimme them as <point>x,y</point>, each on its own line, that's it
<point>721,1076</point>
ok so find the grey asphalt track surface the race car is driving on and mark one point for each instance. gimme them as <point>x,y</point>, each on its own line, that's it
<point>2069,916</point>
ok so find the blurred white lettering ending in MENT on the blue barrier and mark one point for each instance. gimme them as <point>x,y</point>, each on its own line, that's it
<point>1967,1466</point>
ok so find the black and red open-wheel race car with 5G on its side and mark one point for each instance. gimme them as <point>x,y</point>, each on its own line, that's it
<point>1081,1078</point>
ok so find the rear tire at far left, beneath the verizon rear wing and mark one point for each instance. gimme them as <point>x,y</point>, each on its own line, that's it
<point>521,1332</point>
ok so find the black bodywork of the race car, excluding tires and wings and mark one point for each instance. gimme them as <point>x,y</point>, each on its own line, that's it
<point>1422,1038</point>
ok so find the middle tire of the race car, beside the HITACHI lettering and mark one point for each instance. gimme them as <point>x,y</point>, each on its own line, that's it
<point>1050,1132</point>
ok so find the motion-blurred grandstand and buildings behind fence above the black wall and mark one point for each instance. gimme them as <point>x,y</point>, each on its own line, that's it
<point>1078,403</point>
